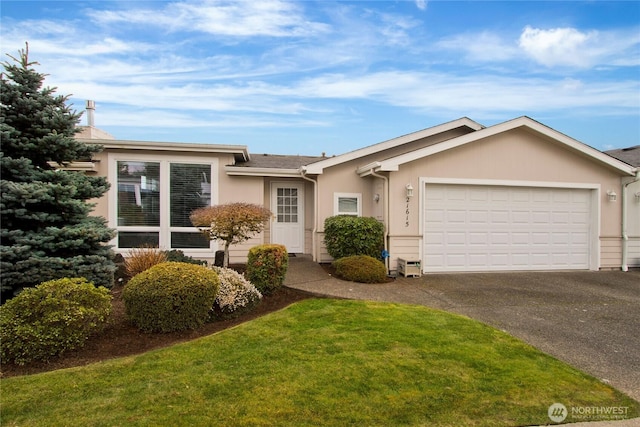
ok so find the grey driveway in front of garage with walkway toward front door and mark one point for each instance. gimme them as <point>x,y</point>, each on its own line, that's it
<point>587,319</point>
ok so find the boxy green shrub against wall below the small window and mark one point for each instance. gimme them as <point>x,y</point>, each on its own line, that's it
<point>347,235</point>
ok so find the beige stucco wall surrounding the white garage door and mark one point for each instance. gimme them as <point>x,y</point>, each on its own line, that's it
<point>513,156</point>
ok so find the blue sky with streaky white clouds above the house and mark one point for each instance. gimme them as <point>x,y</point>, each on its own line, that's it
<point>307,77</point>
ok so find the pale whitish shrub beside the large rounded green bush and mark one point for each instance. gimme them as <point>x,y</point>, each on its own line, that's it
<point>236,295</point>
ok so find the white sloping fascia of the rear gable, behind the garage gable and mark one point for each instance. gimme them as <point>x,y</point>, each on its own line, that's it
<point>318,167</point>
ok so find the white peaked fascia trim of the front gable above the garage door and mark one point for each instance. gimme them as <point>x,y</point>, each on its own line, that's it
<point>393,163</point>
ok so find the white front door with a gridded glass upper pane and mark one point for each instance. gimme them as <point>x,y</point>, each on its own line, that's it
<point>287,227</point>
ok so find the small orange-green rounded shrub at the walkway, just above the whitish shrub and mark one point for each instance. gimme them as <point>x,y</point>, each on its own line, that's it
<point>267,267</point>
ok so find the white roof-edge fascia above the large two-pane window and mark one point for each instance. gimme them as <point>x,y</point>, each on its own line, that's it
<point>238,150</point>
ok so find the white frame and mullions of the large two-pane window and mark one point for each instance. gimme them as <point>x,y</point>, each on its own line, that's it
<point>164,230</point>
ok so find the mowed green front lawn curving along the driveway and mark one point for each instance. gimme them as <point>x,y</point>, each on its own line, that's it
<point>318,362</point>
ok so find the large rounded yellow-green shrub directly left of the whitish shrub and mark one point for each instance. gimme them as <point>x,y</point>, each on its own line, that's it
<point>171,296</point>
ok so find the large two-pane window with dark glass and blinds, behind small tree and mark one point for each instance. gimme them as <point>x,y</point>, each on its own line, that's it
<point>154,199</point>
